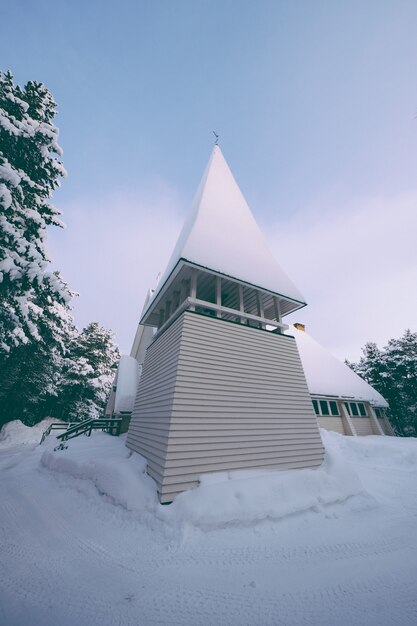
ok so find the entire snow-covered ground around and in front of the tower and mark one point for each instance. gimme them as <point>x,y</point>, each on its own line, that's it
<point>83,539</point>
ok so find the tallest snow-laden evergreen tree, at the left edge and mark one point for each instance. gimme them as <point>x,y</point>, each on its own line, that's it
<point>35,320</point>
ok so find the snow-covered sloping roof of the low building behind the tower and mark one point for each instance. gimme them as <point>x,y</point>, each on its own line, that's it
<point>327,376</point>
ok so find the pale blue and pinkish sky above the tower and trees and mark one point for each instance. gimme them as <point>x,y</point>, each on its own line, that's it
<point>316,107</point>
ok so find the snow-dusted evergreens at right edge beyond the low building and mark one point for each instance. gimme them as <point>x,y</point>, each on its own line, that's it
<point>393,372</point>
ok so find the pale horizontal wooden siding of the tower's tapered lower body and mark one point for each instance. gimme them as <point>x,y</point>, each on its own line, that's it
<point>218,396</point>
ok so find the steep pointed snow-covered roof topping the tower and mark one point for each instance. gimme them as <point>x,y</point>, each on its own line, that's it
<point>222,235</point>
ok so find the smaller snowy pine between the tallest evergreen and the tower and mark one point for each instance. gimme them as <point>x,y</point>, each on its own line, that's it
<point>87,374</point>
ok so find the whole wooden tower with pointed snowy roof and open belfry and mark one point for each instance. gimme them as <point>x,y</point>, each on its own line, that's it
<point>222,388</point>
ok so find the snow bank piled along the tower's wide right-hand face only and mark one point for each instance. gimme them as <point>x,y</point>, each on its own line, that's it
<point>236,498</point>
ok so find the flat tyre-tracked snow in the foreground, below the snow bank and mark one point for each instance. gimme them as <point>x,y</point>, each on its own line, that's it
<point>60,564</point>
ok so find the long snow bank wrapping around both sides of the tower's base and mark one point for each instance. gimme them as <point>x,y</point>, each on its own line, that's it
<point>222,499</point>
